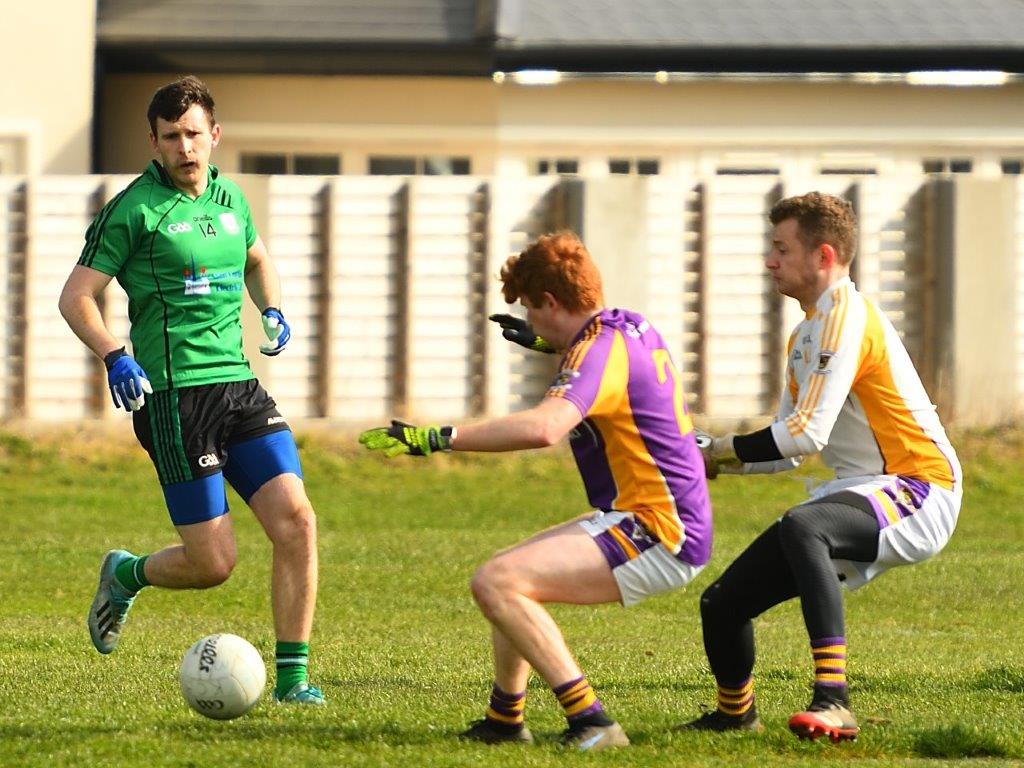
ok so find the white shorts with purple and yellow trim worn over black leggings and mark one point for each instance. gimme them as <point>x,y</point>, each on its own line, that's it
<point>916,522</point>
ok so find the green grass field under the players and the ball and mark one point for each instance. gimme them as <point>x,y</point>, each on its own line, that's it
<point>936,669</point>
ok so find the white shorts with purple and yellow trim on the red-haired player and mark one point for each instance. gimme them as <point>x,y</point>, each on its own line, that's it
<point>642,566</point>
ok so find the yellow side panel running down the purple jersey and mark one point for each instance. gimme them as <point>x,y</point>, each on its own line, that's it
<point>641,486</point>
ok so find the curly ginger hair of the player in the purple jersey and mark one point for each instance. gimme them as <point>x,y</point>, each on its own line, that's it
<point>560,265</point>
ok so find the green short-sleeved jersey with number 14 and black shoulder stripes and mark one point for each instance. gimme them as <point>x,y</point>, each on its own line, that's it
<point>182,262</point>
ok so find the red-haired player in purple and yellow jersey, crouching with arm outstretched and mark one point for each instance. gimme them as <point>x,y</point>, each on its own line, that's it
<point>619,399</point>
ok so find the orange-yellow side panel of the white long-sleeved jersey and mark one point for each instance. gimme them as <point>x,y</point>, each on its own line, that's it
<point>907,450</point>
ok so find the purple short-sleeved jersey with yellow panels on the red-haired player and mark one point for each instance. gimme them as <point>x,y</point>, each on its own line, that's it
<point>635,447</point>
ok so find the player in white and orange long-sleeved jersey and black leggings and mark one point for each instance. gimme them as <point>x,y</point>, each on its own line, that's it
<point>852,394</point>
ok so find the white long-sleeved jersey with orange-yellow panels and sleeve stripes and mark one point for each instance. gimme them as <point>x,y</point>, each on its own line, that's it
<point>852,393</point>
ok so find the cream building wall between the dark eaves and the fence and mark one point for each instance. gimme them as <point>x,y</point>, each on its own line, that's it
<point>695,126</point>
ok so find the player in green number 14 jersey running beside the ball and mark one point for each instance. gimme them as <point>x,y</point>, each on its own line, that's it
<point>181,242</point>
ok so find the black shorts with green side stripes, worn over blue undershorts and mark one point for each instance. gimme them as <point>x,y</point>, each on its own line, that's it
<point>188,432</point>
